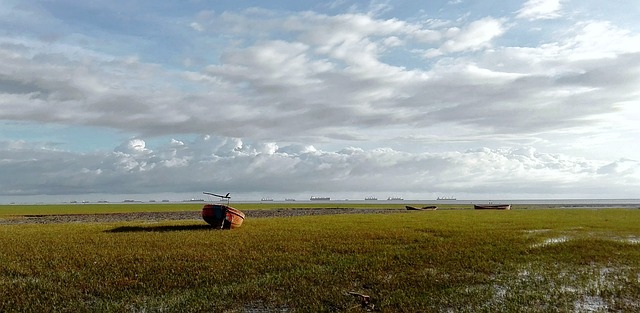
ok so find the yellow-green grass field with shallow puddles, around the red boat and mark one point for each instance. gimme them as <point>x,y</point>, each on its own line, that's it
<point>544,260</point>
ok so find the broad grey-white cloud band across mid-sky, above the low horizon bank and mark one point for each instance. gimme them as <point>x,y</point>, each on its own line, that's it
<point>327,79</point>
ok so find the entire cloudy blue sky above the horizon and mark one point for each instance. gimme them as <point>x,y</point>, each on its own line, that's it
<point>144,99</point>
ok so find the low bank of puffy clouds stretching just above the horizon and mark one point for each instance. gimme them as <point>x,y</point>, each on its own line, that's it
<point>218,163</point>
